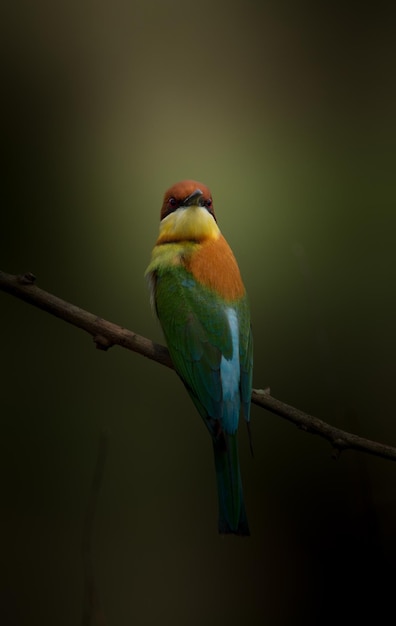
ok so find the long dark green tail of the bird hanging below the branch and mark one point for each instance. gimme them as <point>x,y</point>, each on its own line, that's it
<point>232,514</point>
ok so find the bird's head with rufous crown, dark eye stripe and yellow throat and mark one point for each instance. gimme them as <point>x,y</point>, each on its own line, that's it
<point>187,213</point>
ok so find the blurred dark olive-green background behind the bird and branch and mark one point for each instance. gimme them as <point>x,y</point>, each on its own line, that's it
<point>287,111</point>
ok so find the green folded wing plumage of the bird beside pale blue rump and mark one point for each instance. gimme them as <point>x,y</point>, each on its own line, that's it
<point>196,327</point>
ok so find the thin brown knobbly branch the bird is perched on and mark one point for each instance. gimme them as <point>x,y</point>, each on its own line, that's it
<point>107,334</point>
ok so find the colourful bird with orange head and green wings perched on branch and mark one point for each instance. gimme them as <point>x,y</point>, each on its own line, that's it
<point>197,292</point>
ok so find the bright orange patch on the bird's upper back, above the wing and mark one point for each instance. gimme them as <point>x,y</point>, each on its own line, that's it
<point>214,265</point>
